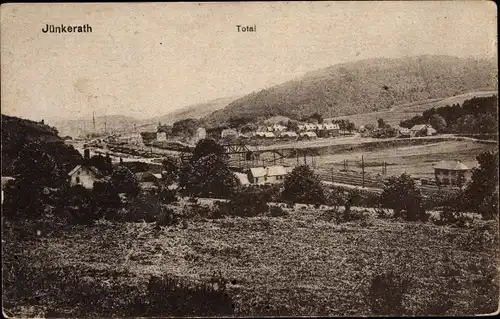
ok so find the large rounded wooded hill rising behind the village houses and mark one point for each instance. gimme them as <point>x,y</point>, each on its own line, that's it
<point>364,86</point>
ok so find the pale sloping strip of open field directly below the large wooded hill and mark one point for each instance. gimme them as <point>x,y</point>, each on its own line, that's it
<point>396,114</point>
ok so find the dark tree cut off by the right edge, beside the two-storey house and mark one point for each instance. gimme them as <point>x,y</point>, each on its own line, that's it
<point>482,191</point>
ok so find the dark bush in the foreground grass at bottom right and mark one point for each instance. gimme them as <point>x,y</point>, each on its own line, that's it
<point>386,293</point>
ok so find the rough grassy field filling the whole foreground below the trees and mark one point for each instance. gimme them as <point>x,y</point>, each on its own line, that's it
<point>298,264</point>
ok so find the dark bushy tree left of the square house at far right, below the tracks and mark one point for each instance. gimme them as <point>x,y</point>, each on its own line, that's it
<point>401,194</point>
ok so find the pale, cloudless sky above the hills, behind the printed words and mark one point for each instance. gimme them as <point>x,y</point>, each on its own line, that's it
<point>146,59</point>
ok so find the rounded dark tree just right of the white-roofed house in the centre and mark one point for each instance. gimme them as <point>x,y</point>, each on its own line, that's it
<point>303,186</point>
